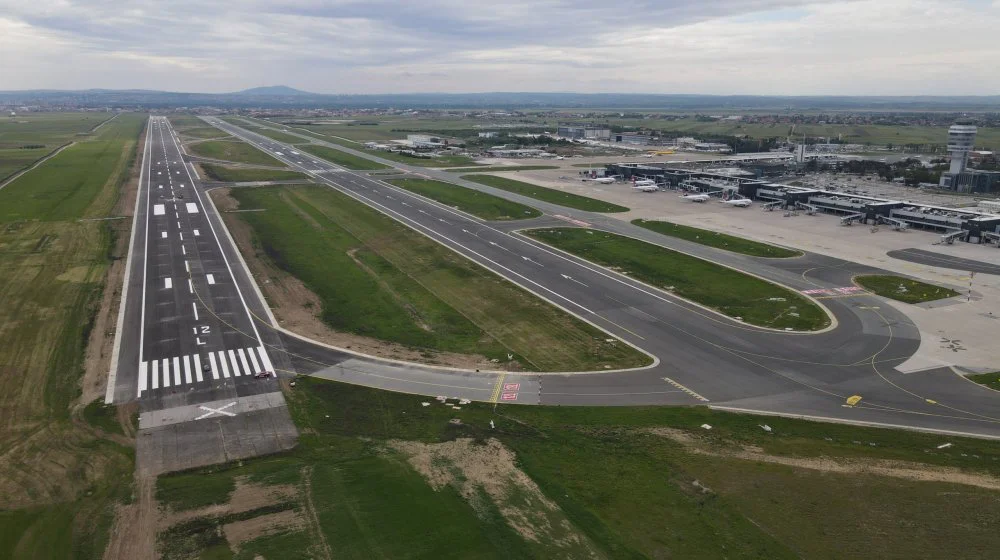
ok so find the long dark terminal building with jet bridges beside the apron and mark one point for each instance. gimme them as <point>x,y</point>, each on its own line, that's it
<point>969,225</point>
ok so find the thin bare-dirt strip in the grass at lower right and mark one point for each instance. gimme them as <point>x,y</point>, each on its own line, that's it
<point>894,469</point>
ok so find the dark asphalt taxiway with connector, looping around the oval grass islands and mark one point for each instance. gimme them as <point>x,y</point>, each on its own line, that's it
<point>703,358</point>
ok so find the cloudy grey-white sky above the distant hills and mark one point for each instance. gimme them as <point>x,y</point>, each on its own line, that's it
<point>878,47</point>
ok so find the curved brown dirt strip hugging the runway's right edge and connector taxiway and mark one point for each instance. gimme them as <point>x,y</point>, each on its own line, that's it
<point>297,308</point>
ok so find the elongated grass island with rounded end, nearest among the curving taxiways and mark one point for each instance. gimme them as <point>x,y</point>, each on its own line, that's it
<point>728,291</point>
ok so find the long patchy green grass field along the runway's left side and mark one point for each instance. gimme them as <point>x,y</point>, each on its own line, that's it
<point>61,479</point>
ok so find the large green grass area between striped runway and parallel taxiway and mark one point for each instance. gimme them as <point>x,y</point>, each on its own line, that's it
<point>379,279</point>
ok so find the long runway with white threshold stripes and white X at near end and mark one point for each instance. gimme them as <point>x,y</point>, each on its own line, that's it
<point>187,339</point>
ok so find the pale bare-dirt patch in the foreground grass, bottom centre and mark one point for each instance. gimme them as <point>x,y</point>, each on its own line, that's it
<point>476,470</point>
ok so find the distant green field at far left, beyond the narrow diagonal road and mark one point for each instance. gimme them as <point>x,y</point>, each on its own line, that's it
<point>26,138</point>
